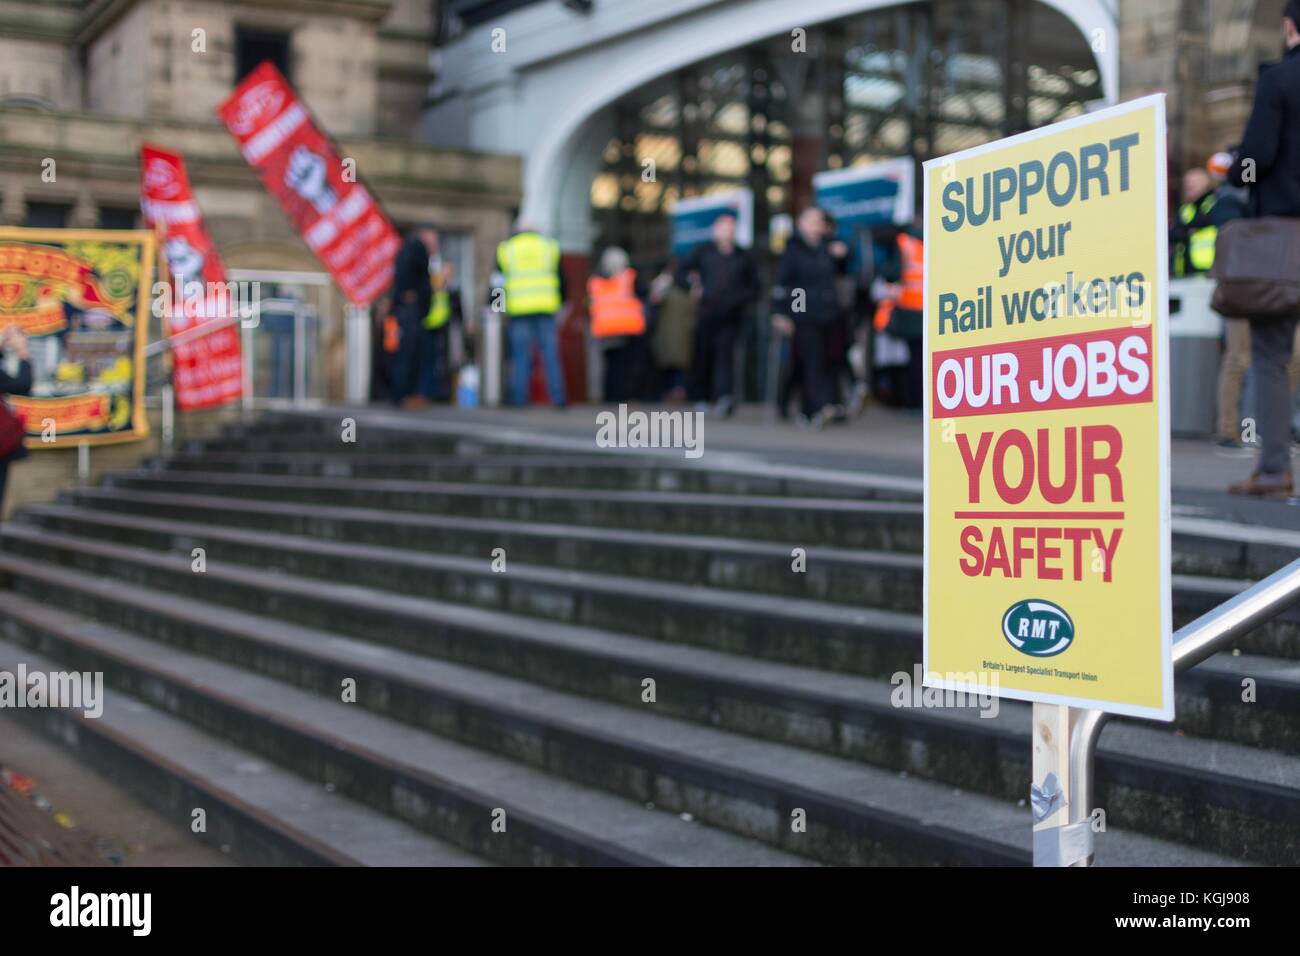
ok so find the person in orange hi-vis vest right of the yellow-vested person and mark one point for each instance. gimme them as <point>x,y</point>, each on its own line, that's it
<point>618,322</point>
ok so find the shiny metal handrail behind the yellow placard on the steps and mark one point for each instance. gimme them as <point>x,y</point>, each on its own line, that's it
<point>1193,644</point>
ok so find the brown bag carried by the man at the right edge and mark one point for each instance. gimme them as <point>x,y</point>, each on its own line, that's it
<point>1258,269</point>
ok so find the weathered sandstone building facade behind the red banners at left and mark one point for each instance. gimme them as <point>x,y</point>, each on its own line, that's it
<point>85,83</point>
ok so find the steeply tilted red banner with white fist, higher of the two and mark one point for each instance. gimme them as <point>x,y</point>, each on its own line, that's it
<point>336,215</point>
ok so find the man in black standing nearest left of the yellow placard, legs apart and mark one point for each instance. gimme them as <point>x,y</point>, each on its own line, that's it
<point>807,308</point>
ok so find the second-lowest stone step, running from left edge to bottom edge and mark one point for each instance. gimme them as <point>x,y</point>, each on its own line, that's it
<point>430,784</point>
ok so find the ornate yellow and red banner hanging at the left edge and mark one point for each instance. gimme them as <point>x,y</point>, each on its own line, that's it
<point>84,300</point>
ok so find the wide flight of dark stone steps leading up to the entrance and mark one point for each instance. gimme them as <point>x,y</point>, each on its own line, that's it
<point>523,691</point>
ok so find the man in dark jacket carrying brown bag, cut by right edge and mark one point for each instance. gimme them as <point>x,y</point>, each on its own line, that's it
<point>1269,163</point>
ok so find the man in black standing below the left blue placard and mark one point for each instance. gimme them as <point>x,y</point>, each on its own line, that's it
<point>725,282</point>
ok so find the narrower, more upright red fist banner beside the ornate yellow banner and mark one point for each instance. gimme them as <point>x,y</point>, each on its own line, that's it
<point>207,369</point>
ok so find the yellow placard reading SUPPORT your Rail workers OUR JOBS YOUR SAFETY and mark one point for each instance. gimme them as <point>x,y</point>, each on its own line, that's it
<point>1047,417</point>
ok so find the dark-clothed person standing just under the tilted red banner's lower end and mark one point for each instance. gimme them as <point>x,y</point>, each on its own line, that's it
<point>413,296</point>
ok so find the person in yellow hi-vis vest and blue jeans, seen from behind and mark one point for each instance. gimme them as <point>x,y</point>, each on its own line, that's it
<point>531,292</point>
